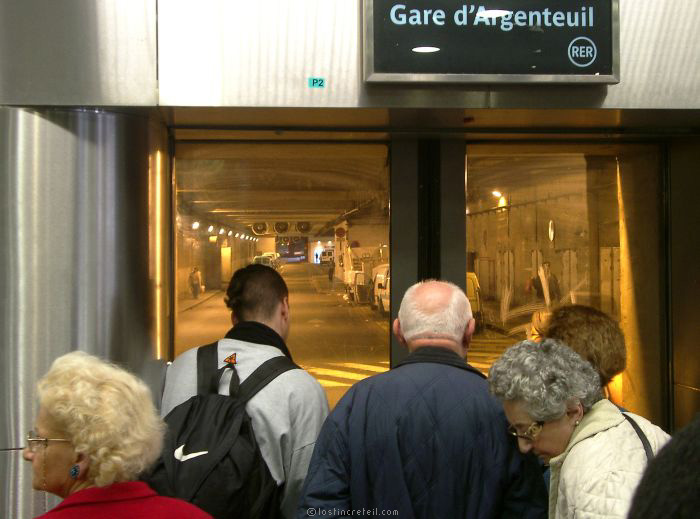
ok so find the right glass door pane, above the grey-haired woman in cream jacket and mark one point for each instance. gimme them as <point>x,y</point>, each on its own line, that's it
<point>560,224</point>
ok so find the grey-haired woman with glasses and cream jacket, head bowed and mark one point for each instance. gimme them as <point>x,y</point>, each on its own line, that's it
<point>553,401</point>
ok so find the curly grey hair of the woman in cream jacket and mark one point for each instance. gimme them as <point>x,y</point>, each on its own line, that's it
<point>547,377</point>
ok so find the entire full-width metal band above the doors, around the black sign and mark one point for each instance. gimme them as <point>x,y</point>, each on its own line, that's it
<point>261,54</point>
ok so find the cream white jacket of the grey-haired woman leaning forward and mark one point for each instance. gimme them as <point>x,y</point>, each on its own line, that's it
<point>597,474</point>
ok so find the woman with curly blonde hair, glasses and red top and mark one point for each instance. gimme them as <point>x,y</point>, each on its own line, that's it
<point>96,431</point>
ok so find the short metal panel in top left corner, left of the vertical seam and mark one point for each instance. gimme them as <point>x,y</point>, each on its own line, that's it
<point>78,52</point>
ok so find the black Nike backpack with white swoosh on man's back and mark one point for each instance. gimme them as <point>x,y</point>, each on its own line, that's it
<point>210,456</point>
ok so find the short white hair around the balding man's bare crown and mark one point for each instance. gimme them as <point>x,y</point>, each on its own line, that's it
<point>421,321</point>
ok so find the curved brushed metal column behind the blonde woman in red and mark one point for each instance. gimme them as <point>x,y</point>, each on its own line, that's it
<point>75,260</point>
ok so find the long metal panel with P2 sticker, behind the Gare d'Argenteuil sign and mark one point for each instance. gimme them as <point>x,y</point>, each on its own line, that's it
<point>262,54</point>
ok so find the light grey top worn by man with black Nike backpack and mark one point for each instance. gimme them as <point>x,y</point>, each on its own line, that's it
<point>286,415</point>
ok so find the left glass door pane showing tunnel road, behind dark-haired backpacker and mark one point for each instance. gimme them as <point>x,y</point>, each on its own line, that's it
<point>318,213</point>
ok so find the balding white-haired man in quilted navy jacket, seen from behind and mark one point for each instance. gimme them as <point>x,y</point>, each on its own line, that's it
<point>426,439</point>
